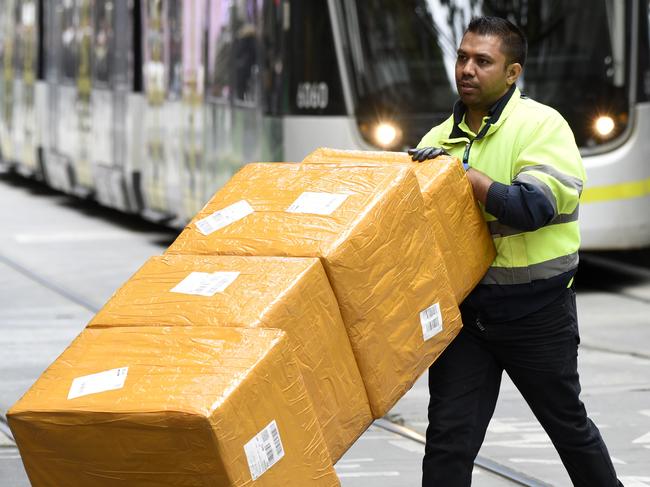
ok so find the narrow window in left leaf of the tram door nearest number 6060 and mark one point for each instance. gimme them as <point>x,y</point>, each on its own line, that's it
<point>219,50</point>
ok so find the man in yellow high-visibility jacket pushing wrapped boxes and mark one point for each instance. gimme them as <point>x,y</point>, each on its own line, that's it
<point>527,174</point>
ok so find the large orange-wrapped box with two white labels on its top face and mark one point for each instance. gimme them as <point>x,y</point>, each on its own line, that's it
<point>368,227</point>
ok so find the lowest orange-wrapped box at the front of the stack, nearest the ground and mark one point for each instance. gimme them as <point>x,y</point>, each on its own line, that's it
<point>171,406</point>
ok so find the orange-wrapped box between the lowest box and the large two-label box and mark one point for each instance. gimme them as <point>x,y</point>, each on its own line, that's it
<point>291,294</point>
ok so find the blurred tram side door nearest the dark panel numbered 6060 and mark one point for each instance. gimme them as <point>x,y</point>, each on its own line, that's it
<point>244,70</point>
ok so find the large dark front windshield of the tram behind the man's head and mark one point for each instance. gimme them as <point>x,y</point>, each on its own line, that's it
<point>403,54</point>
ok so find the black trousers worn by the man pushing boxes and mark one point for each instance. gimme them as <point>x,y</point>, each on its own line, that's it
<point>539,352</point>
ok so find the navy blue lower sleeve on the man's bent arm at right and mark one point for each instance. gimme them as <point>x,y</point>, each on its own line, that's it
<point>520,205</point>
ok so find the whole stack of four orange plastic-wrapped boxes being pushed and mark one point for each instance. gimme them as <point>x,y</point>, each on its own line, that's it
<point>227,361</point>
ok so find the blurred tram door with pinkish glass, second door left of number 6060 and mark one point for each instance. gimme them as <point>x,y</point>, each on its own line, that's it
<point>173,86</point>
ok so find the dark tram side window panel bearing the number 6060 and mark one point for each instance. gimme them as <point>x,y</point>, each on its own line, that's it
<point>314,81</point>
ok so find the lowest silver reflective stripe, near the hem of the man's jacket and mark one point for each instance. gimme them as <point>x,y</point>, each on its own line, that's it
<point>524,275</point>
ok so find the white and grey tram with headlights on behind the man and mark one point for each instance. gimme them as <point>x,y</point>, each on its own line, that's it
<point>149,106</point>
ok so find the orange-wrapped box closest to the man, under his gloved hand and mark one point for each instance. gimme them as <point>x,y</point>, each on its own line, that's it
<point>450,207</point>
